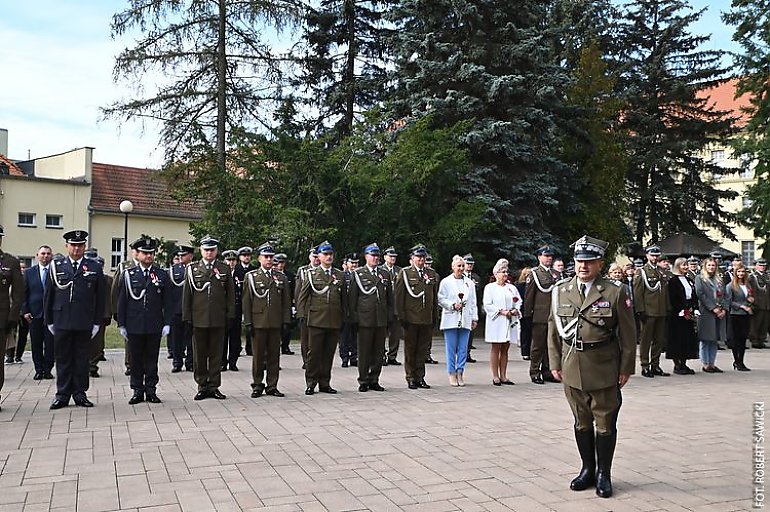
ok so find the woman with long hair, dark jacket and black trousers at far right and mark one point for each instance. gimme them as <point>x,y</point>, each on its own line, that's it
<point>741,299</point>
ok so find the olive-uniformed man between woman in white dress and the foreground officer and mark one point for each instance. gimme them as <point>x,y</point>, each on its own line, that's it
<point>537,306</point>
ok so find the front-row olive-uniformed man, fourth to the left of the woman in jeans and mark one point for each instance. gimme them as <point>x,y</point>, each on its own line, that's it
<point>266,308</point>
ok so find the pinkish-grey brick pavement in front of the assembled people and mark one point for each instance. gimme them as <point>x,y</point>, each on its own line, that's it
<point>685,444</point>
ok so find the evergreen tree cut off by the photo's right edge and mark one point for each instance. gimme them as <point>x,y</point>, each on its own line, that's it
<point>751,19</point>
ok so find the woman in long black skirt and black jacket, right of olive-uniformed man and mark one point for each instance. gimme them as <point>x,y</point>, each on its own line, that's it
<point>682,338</point>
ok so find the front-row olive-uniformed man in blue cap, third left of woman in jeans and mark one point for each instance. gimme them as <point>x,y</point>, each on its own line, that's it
<point>323,303</point>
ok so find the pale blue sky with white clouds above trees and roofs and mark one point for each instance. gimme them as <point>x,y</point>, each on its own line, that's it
<point>57,59</point>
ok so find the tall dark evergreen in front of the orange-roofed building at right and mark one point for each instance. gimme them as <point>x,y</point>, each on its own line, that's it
<point>668,121</point>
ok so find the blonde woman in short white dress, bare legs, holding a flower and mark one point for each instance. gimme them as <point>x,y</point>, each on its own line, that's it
<point>502,303</point>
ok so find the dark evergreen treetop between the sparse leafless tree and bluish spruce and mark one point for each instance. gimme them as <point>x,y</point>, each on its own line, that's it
<point>344,62</point>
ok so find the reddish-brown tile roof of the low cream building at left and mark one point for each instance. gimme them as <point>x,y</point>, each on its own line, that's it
<point>112,184</point>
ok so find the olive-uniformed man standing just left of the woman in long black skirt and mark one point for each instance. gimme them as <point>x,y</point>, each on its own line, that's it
<point>651,304</point>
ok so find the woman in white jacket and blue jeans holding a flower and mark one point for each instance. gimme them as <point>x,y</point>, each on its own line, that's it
<point>459,315</point>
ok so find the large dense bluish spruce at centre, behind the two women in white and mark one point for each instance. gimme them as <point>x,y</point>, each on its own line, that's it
<point>492,63</point>
